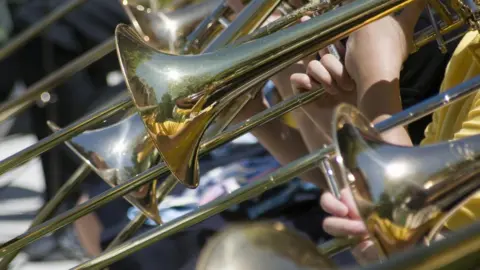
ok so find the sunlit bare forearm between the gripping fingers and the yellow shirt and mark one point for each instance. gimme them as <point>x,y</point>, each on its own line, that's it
<point>377,80</point>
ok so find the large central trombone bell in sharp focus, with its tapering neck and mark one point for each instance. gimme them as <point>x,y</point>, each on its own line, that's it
<point>178,96</point>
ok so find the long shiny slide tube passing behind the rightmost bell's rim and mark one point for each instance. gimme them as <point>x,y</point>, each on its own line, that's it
<point>278,177</point>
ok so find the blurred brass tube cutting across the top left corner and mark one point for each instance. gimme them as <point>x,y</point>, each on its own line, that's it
<point>21,39</point>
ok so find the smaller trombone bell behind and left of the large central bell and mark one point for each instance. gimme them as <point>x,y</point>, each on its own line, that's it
<point>119,152</point>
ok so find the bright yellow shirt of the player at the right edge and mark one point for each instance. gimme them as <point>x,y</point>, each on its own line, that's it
<point>461,119</point>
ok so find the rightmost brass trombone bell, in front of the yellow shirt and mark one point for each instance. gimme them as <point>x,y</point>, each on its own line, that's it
<point>401,191</point>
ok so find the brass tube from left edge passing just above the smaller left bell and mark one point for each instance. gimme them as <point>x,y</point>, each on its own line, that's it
<point>64,134</point>
